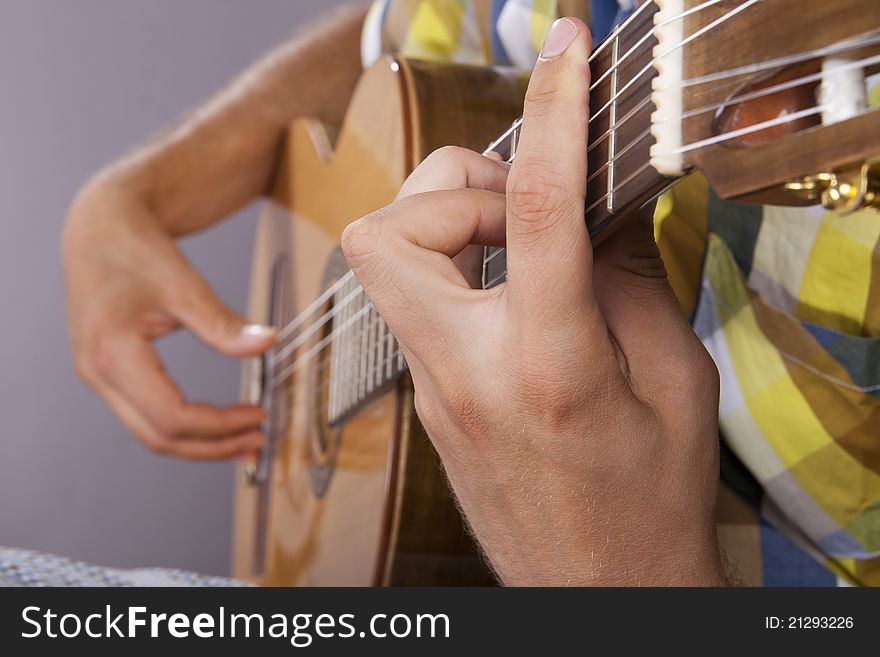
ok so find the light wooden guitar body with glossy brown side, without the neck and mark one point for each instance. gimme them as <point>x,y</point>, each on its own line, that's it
<point>362,502</point>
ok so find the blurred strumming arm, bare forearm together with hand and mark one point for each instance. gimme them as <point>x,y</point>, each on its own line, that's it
<point>127,283</point>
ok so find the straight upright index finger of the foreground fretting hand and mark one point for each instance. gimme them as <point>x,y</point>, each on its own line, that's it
<point>549,256</point>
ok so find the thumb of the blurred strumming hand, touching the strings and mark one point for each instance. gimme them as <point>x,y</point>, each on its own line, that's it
<point>222,329</point>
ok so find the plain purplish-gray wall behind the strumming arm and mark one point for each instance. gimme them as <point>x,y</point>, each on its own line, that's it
<point>82,81</point>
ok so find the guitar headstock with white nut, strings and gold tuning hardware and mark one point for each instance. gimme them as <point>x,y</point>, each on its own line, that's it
<point>769,98</point>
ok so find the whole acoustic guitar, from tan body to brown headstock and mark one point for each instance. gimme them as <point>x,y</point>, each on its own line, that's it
<point>767,98</point>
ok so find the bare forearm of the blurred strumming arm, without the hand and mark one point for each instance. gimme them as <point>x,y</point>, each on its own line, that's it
<point>220,156</point>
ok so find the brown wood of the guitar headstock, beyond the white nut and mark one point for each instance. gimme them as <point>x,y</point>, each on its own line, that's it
<point>757,169</point>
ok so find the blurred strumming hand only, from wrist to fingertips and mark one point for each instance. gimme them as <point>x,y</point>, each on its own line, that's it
<point>128,284</point>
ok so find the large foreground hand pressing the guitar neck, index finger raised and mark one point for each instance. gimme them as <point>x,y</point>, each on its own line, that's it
<point>574,409</point>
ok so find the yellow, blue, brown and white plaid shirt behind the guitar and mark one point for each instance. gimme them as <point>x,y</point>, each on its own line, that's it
<point>787,300</point>
